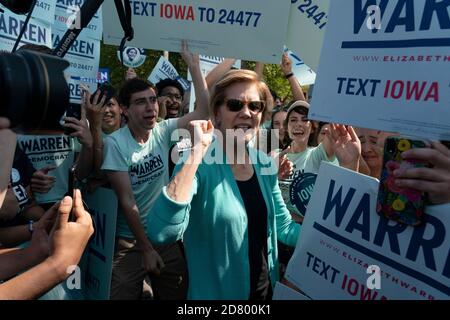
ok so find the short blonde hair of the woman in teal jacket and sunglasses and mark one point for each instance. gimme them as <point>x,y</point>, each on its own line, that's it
<point>232,77</point>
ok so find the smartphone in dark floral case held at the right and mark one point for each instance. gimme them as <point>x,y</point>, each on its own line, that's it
<point>400,204</point>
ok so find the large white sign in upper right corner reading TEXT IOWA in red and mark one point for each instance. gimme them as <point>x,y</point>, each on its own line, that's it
<point>386,67</point>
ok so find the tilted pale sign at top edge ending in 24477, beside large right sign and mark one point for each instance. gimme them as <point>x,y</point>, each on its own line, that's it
<point>307,25</point>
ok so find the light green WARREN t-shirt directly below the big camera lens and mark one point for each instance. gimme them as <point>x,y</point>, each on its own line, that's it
<point>51,150</point>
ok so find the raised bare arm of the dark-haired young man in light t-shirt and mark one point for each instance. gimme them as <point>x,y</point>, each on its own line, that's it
<point>201,89</point>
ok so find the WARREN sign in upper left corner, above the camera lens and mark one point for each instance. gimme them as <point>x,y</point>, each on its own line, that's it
<point>36,32</point>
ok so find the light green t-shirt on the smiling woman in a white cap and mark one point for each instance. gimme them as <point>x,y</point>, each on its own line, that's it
<point>307,161</point>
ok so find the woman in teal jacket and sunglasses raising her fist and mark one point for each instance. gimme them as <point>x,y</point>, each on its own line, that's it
<point>224,203</point>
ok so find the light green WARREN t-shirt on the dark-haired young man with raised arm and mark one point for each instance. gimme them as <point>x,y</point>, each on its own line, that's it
<point>146,164</point>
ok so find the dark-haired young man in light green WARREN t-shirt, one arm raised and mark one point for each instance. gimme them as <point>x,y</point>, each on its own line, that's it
<point>135,159</point>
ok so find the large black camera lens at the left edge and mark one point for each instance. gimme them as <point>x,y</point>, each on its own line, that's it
<point>33,89</point>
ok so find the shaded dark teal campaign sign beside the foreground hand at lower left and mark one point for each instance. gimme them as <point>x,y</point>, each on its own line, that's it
<point>98,256</point>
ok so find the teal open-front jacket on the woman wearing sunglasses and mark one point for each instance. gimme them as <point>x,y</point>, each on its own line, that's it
<point>213,226</point>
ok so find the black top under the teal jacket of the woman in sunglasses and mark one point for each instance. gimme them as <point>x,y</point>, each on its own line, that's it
<point>255,206</point>
